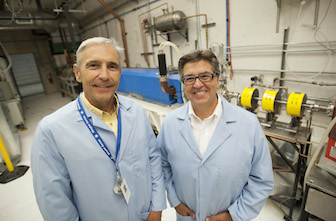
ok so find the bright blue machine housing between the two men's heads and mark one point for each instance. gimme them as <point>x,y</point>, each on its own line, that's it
<point>145,82</point>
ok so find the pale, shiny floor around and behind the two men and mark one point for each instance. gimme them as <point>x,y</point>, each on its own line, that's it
<point>17,197</point>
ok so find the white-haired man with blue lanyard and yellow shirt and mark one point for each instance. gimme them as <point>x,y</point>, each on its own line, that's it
<point>96,158</point>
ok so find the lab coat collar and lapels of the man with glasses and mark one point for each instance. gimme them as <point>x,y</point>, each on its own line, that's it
<point>222,132</point>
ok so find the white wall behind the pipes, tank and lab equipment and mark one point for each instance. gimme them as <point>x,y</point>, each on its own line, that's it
<point>253,23</point>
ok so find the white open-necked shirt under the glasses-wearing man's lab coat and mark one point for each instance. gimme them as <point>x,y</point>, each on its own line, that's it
<point>203,130</point>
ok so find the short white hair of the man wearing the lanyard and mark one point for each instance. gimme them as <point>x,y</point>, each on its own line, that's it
<point>96,40</point>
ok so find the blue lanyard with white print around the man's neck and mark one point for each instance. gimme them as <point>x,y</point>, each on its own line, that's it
<point>97,136</point>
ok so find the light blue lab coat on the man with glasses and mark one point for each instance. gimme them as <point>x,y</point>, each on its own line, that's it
<point>235,173</point>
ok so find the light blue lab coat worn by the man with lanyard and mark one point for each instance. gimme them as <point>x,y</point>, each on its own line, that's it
<point>73,177</point>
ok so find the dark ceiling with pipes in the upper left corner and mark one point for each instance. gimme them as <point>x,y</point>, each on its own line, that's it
<point>30,14</point>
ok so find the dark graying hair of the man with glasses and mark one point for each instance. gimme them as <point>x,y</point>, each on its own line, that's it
<point>196,56</point>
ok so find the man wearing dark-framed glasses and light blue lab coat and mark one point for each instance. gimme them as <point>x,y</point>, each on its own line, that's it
<point>216,160</point>
